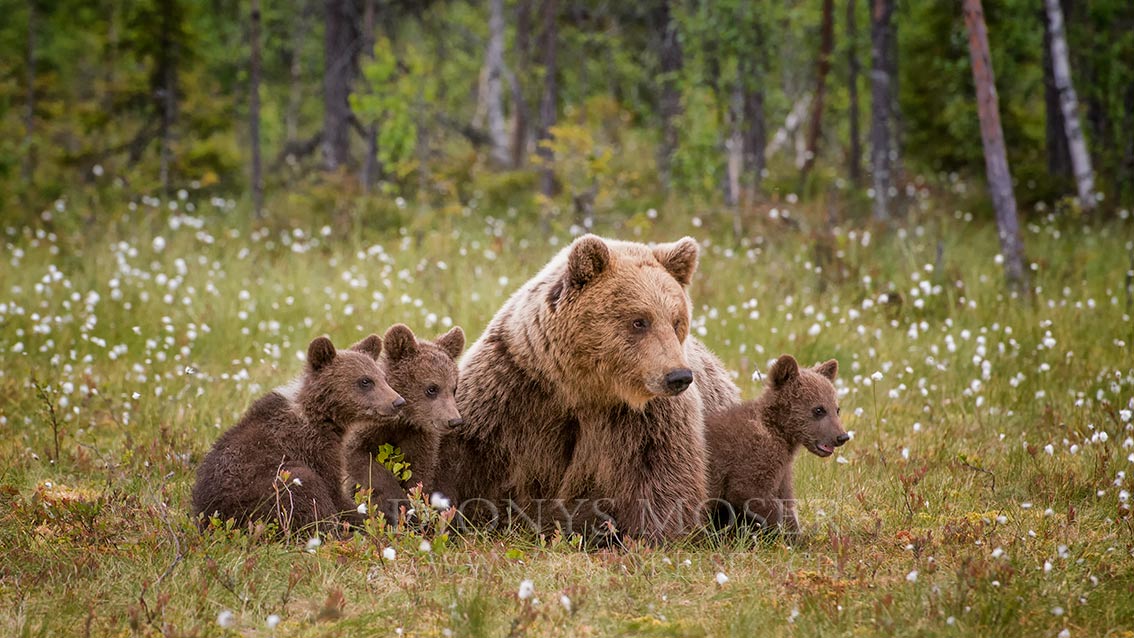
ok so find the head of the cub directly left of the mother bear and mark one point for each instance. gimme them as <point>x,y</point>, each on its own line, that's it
<point>426,375</point>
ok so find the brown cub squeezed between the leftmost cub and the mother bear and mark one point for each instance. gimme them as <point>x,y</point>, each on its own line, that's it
<point>426,375</point>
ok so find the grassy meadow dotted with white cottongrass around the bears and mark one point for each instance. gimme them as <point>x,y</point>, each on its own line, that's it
<point>938,518</point>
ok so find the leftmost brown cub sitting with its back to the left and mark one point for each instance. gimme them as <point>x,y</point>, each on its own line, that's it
<point>284,461</point>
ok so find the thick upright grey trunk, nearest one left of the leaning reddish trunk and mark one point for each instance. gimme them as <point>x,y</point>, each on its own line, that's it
<point>882,14</point>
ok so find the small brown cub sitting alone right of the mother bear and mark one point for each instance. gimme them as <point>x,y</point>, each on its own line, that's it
<point>751,446</point>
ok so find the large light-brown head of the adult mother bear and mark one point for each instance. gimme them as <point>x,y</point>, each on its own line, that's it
<point>619,319</point>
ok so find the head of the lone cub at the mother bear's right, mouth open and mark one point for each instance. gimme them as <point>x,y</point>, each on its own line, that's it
<point>806,405</point>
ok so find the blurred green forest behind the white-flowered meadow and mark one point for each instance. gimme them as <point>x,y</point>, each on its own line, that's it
<point>570,112</point>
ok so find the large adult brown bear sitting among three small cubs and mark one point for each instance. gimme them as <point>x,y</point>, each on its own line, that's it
<point>583,401</point>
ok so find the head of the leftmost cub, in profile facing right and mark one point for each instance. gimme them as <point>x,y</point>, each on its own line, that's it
<point>342,387</point>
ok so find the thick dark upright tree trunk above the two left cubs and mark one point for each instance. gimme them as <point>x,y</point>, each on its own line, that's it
<point>341,65</point>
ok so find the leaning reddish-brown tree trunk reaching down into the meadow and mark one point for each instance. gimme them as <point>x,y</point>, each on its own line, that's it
<point>996,159</point>
